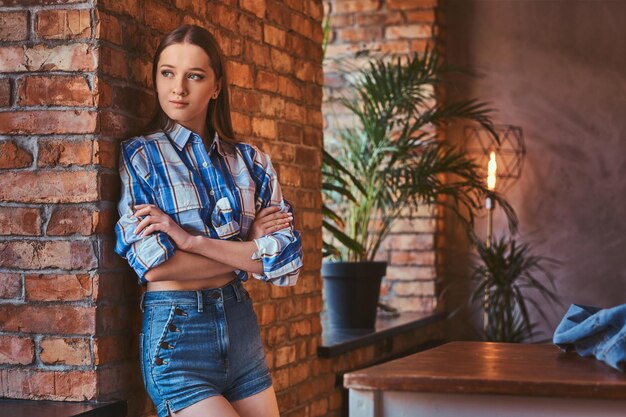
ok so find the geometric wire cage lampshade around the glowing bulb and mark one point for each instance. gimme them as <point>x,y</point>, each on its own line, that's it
<point>509,153</point>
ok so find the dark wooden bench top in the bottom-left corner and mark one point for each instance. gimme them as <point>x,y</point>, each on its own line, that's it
<point>43,408</point>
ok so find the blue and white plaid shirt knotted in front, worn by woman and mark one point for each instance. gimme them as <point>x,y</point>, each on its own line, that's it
<point>215,193</point>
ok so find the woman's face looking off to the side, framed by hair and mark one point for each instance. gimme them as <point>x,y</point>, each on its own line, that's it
<point>185,83</point>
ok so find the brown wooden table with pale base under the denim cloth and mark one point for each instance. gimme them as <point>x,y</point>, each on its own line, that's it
<point>488,380</point>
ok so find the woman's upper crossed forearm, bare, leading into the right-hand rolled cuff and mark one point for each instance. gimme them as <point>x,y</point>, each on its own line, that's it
<point>236,254</point>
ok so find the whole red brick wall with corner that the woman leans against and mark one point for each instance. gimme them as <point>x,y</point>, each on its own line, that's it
<point>74,81</point>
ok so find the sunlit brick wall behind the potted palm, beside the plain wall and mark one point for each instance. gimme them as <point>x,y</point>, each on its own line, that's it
<point>372,28</point>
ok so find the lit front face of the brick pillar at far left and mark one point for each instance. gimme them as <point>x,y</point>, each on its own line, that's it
<point>55,208</point>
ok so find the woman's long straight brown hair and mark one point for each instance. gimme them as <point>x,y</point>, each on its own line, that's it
<point>218,114</point>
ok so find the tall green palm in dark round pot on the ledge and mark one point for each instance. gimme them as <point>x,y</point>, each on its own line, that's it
<point>390,161</point>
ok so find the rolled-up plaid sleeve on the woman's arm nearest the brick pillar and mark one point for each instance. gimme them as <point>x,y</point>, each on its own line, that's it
<point>142,253</point>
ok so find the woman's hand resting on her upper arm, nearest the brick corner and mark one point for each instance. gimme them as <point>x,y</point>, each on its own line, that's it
<point>155,220</point>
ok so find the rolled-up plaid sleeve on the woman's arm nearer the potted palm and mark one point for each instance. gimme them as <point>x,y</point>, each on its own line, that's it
<point>281,251</point>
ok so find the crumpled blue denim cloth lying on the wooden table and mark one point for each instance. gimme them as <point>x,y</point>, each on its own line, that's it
<point>594,331</point>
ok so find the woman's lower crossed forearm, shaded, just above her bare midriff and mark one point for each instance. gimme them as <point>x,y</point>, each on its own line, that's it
<point>183,266</point>
